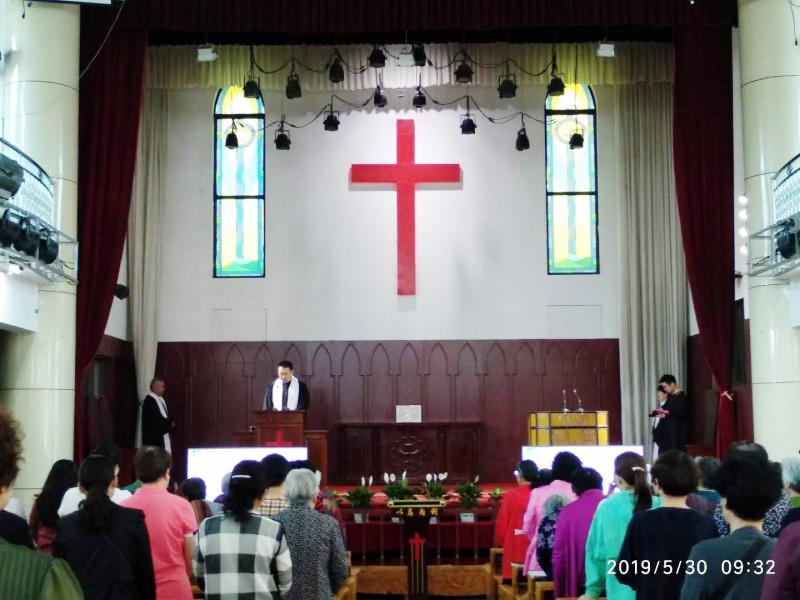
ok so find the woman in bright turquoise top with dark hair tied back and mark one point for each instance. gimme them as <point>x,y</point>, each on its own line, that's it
<point>610,523</point>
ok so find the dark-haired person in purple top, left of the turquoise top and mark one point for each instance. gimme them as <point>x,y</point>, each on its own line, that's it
<point>569,546</point>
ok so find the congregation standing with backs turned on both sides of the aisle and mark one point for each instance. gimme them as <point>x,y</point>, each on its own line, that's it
<point>689,529</point>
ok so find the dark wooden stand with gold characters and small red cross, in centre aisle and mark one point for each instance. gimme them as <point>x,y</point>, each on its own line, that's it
<point>416,516</point>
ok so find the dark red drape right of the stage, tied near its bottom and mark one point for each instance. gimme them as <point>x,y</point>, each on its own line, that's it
<point>703,158</point>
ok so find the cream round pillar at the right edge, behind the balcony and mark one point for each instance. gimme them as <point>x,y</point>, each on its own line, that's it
<point>770,77</point>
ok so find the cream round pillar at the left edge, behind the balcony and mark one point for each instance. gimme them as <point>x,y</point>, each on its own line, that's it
<point>40,116</point>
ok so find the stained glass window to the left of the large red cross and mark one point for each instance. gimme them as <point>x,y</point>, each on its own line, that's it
<point>238,185</point>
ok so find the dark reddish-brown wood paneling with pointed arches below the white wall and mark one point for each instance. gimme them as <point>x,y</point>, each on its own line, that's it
<point>215,386</point>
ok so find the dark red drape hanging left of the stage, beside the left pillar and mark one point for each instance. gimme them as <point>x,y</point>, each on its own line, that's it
<point>110,106</point>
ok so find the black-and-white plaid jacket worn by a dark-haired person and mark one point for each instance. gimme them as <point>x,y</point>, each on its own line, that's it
<point>233,561</point>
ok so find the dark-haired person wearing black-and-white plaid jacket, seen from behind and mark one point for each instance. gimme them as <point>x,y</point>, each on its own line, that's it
<point>236,551</point>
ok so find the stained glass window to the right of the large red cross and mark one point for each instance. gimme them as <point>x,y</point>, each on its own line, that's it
<point>571,182</point>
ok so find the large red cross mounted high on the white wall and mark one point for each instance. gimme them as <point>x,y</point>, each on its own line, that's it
<point>405,175</point>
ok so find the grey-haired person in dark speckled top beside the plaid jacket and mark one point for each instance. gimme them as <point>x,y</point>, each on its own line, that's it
<point>319,559</point>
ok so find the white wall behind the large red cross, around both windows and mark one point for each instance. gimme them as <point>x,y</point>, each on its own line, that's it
<point>331,250</point>
